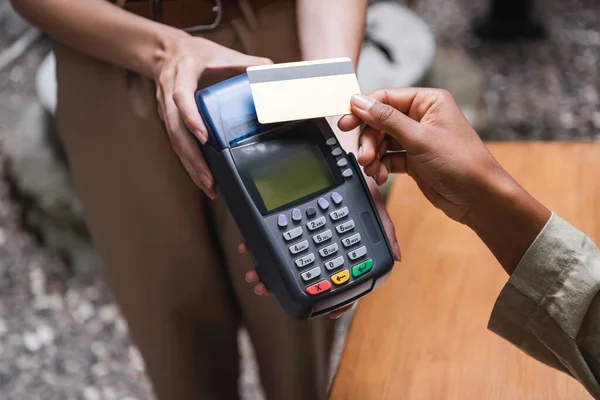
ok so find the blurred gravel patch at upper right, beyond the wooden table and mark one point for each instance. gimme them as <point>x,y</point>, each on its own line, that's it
<point>546,90</point>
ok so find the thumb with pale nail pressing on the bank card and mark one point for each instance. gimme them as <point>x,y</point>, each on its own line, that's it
<point>386,119</point>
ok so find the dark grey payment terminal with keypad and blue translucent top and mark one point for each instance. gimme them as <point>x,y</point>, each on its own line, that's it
<point>299,200</point>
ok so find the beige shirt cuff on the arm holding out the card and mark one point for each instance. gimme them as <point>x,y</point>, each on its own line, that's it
<point>555,276</point>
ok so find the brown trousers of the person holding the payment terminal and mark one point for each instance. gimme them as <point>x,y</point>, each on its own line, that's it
<point>170,253</point>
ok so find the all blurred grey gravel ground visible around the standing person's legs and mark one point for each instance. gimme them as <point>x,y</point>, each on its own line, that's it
<point>61,336</point>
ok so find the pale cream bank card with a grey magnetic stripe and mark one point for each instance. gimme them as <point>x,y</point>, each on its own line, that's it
<point>302,90</point>
